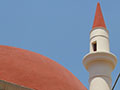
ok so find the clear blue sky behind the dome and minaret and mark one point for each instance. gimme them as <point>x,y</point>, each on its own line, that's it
<point>58,29</point>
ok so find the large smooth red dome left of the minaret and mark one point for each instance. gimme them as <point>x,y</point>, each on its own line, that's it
<point>35,71</point>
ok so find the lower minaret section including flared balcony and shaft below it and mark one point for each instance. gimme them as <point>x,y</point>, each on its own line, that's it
<point>100,66</point>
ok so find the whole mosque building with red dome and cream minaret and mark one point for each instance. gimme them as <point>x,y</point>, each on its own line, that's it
<point>25,70</point>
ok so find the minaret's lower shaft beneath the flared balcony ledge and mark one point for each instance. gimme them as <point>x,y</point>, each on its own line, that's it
<point>100,76</point>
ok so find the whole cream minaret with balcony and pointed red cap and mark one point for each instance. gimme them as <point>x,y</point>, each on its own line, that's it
<point>99,62</point>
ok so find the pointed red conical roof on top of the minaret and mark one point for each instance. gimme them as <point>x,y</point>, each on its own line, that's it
<point>98,20</point>
